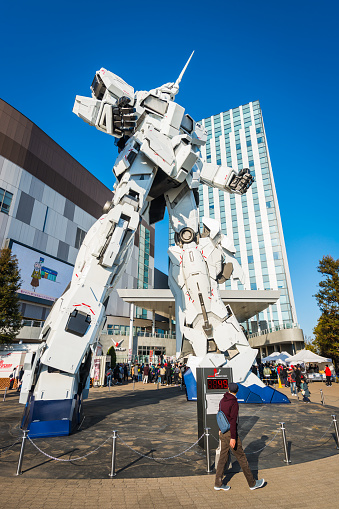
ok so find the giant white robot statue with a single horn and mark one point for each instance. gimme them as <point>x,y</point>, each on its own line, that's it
<point>159,165</point>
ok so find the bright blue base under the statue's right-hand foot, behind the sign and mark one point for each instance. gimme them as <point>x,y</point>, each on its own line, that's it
<point>251,394</point>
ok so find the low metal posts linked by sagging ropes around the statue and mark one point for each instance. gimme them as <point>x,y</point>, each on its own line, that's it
<point>206,435</point>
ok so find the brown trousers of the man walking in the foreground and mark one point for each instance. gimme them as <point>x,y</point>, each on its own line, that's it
<point>238,453</point>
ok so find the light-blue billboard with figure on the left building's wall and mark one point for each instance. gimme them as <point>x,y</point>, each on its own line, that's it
<point>42,276</point>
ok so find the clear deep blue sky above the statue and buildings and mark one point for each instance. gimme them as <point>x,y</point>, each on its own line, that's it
<point>283,53</point>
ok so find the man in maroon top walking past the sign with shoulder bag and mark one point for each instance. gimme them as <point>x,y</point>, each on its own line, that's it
<point>230,407</point>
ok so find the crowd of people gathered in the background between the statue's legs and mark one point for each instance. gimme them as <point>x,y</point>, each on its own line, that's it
<point>166,373</point>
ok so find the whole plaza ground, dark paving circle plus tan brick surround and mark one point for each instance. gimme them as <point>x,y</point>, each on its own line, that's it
<point>161,423</point>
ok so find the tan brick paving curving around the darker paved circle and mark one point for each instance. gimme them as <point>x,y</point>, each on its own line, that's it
<point>313,484</point>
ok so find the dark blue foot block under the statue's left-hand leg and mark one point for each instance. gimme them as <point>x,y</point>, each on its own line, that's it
<point>51,418</point>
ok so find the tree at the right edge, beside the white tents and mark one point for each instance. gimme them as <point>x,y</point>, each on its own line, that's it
<point>327,329</point>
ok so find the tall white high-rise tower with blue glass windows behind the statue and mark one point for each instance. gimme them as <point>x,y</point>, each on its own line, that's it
<point>237,138</point>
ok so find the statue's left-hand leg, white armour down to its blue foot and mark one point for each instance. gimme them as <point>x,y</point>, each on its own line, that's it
<point>59,376</point>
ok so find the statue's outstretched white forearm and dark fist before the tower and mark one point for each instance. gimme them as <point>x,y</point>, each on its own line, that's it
<point>226,178</point>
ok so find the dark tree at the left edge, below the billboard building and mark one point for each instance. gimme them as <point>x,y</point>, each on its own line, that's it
<point>10,317</point>
